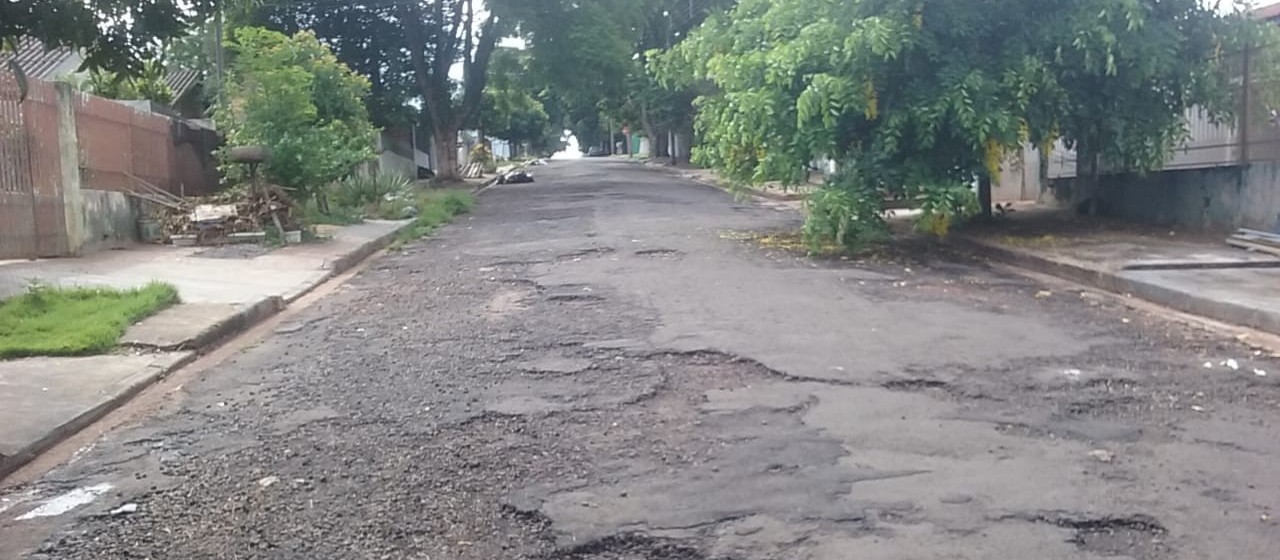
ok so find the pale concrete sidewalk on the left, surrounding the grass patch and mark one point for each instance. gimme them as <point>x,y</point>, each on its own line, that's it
<point>223,291</point>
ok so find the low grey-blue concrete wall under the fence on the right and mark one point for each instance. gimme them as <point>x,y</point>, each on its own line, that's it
<point>1217,199</point>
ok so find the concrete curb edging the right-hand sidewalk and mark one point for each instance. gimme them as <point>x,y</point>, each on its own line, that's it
<point>1181,301</point>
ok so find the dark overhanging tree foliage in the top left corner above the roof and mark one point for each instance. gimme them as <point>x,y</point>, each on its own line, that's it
<point>115,35</point>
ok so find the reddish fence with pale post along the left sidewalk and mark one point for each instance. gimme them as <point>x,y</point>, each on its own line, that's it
<point>58,146</point>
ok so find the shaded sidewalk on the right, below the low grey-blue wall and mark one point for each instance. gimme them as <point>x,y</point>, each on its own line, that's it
<point>1191,273</point>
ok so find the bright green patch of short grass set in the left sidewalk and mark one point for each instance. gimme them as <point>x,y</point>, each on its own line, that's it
<point>75,322</point>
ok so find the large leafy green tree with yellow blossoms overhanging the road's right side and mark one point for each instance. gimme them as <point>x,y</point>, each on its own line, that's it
<point>924,99</point>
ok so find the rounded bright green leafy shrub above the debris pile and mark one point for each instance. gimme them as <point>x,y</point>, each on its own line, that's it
<point>292,95</point>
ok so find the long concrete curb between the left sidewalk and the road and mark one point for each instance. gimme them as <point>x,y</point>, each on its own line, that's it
<point>205,342</point>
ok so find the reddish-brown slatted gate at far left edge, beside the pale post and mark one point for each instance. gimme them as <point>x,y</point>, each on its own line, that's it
<point>31,204</point>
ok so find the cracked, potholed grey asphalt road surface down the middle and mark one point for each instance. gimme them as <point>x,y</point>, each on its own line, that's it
<point>598,366</point>
